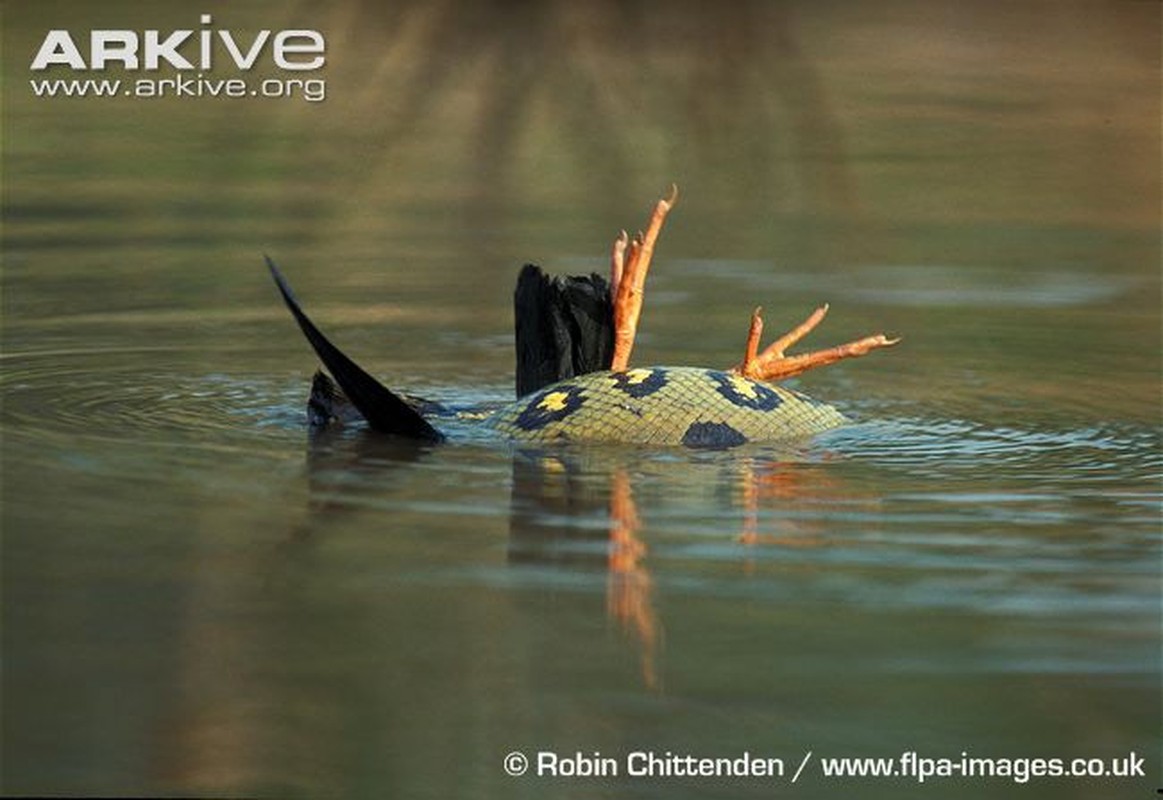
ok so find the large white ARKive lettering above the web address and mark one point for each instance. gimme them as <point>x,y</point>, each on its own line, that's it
<point>298,51</point>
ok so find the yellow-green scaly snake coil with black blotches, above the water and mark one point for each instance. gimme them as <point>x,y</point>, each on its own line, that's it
<point>663,405</point>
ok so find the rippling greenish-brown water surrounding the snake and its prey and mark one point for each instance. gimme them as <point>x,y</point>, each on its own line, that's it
<point>203,598</point>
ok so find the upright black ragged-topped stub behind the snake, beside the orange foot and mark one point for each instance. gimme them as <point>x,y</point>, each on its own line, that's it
<point>565,327</point>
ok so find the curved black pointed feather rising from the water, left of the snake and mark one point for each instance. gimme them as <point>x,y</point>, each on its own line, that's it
<point>383,410</point>
